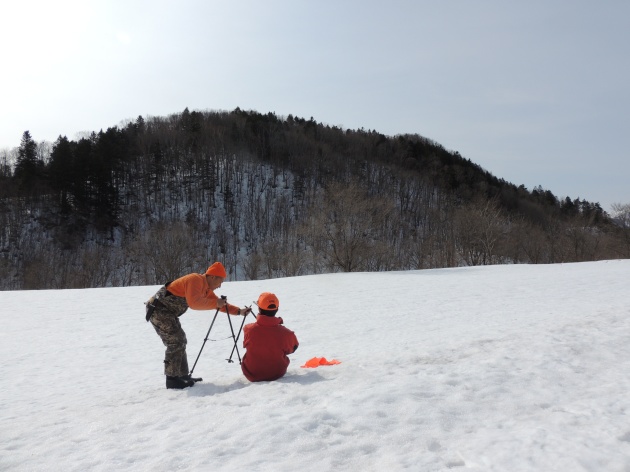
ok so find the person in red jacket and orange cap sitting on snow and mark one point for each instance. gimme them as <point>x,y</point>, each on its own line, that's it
<point>267,342</point>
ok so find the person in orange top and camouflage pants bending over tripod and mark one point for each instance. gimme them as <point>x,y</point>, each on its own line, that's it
<point>194,291</point>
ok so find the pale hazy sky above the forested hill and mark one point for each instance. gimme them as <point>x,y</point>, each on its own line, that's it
<point>534,92</point>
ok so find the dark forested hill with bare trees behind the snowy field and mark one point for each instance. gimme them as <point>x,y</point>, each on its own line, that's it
<point>269,196</point>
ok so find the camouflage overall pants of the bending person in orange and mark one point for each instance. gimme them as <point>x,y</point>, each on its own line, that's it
<point>165,320</point>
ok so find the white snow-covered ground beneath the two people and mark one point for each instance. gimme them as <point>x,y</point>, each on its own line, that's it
<point>501,368</point>
